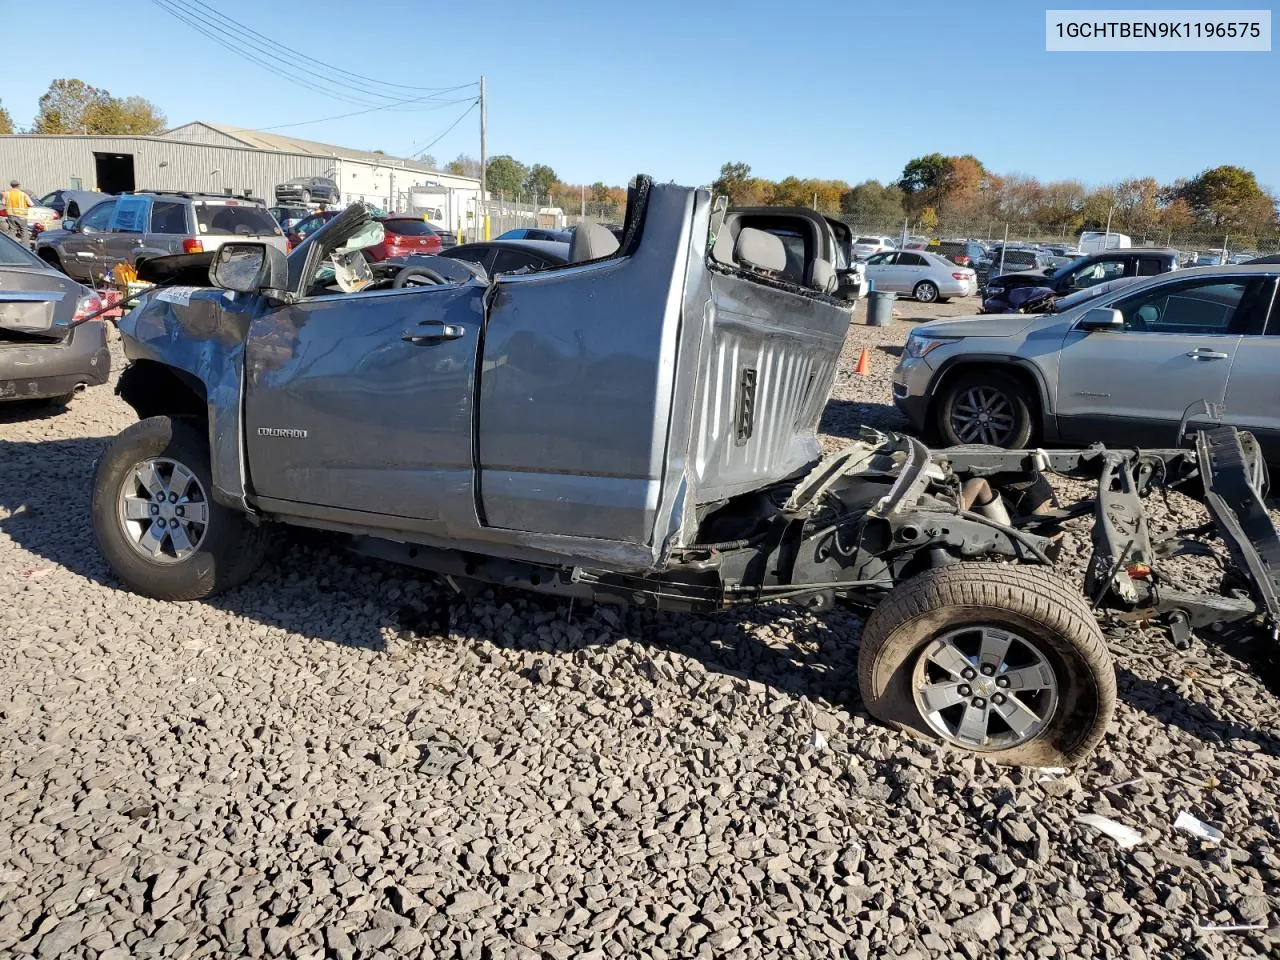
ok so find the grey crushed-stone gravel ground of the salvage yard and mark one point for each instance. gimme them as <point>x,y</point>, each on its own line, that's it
<point>340,761</point>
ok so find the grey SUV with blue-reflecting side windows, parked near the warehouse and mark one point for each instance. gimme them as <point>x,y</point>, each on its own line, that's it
<point>136,227</point>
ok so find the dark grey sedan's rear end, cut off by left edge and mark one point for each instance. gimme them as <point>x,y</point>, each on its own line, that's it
<point>49,348</point>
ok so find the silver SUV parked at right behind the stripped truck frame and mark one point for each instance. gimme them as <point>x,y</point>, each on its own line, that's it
<point>1121,363</point>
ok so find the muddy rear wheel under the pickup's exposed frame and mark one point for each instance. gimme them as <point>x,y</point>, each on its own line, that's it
<point>1046,616</point>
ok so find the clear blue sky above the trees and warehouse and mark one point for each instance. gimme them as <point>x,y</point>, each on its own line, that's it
<point>847,90</point>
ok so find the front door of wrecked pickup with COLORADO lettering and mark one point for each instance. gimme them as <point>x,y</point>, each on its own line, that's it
<point>342,412</point>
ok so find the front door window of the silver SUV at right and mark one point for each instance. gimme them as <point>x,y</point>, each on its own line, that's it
<point>1210,307</point>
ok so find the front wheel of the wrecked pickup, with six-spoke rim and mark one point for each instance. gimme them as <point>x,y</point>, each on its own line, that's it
<point>226,550</point>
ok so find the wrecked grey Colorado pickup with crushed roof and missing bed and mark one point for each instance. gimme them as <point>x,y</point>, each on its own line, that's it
<point>639,427</point>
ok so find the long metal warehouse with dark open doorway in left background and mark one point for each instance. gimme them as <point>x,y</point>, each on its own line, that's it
<point>217,159</point>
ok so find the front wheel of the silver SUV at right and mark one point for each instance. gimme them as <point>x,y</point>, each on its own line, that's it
<point>991,394</point>
